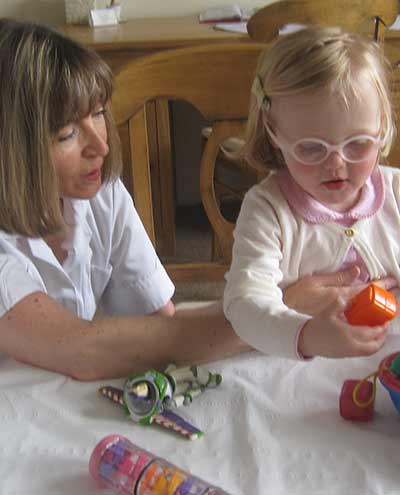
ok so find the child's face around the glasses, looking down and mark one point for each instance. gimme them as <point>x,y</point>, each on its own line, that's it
<point>335,182</point>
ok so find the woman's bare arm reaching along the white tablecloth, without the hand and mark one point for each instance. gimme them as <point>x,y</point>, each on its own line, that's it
<point>40,332</point>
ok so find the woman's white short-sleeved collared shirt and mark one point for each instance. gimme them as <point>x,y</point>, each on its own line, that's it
<point>110,261</point>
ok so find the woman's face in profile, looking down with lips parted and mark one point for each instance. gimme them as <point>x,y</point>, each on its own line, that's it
<point>78,152</point>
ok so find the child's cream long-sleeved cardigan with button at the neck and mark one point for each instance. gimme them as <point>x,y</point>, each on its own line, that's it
<point>274,247</point>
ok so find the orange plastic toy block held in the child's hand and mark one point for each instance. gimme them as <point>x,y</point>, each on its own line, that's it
<point>372,306</point>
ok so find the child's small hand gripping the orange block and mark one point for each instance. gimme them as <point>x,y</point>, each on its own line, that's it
<point>329,335</point>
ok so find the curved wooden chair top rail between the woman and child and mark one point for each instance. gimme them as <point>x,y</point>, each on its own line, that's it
<point>199,75</point>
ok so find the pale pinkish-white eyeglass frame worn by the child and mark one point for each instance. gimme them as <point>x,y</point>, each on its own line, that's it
<point>329,147</point>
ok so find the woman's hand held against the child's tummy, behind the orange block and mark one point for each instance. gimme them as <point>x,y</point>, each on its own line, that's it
<point>312,294</point>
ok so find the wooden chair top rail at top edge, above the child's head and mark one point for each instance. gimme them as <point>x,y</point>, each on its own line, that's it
<point>369,16</point>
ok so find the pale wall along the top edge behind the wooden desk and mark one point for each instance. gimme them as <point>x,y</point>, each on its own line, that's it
<point>53,11</point>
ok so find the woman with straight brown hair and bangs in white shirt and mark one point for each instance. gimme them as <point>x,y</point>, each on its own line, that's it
<point>70,237</point>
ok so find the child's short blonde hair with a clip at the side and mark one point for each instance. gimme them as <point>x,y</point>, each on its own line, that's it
<point>307,60</point>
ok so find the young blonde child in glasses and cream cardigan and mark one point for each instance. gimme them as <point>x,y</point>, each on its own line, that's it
<point>320,120</point>
